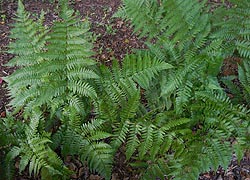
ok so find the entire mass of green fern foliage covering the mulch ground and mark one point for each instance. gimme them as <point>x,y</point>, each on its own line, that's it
<point>163,106</point>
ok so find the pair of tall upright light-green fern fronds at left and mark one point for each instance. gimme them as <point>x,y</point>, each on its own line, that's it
<point>48,72</point>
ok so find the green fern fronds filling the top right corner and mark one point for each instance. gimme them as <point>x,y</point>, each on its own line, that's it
<point>233,26</point>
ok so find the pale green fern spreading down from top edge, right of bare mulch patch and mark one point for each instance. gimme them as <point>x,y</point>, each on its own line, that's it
<point>182,38</point>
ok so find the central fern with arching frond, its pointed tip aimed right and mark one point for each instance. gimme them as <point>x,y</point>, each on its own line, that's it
<point>118,87</point>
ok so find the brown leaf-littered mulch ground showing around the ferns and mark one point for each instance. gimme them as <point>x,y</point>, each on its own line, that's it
<point>114,39</point>
